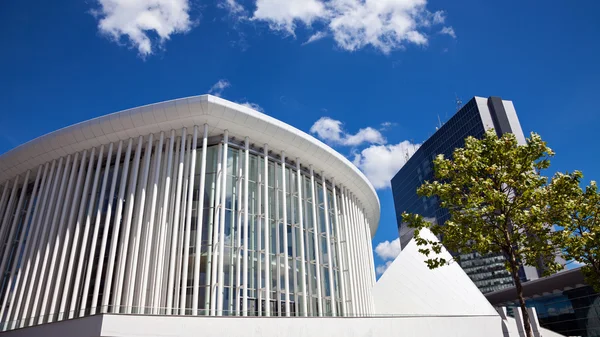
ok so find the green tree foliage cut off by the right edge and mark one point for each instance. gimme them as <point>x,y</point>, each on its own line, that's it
<point>578,212</point>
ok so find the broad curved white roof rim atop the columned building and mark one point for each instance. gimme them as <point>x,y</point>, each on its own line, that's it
<point>220,115</point>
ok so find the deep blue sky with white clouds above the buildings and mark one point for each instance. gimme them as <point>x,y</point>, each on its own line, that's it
<point>388,68</point>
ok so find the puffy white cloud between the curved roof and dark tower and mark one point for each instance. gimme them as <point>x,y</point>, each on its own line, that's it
<point>381,162</point>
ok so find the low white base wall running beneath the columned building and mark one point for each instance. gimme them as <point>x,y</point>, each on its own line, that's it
<point>181,326</point>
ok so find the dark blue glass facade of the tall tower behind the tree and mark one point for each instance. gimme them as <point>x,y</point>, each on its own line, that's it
<point>487,272</point>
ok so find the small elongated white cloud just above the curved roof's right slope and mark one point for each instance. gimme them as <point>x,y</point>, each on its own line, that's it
<point>330,130</point>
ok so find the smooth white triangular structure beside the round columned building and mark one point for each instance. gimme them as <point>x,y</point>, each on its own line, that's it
<point>409,287</point>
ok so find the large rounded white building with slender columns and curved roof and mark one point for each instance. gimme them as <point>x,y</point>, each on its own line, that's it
<point>199,206</point>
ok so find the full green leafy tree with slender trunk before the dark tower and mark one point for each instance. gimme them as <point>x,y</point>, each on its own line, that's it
<point>497,200</point>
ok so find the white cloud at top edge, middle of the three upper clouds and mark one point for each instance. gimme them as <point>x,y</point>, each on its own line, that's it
<point>284,14</point>
